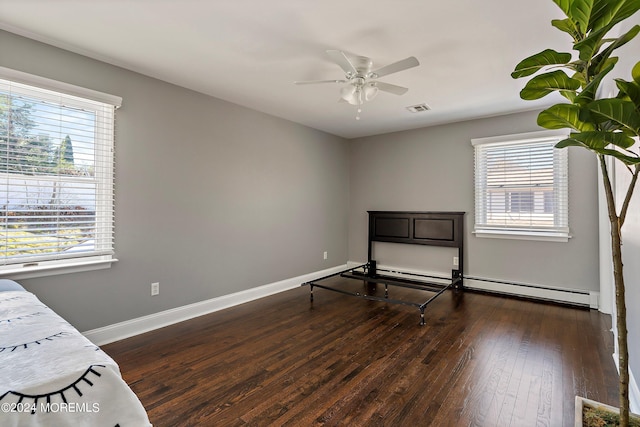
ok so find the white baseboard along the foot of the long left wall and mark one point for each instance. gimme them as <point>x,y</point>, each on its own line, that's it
<point>129,328</point>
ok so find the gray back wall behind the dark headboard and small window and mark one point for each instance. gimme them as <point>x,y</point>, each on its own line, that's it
<point>432,169</point>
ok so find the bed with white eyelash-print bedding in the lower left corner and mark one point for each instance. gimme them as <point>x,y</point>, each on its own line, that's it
<point>51,375</point>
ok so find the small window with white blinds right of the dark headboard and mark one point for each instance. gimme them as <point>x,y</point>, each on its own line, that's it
<point>521,188</point>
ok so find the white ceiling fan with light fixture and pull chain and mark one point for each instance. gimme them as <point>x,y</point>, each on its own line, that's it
<point>362,84</point>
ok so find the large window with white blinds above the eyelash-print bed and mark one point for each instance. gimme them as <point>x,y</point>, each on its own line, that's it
<point>56,175</point>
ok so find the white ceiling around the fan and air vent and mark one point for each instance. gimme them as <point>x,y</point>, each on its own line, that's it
<point>250,52</point>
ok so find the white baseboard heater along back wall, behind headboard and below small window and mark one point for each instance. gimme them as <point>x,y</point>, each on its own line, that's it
<point>535,291</point>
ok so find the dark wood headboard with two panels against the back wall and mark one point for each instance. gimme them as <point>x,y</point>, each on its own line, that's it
<point>418,228</point>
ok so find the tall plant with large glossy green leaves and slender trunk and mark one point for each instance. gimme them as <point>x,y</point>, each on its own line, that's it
<point>607,125</point>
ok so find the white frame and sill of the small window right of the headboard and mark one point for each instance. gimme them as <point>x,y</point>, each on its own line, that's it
<point>559,232</point>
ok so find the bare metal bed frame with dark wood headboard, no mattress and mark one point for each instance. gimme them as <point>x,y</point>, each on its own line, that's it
<point>444,229</point>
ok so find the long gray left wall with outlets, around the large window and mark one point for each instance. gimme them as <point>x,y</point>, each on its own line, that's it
<point>211,198</point>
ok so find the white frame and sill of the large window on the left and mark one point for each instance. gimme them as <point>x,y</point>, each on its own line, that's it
<point>103,106</point>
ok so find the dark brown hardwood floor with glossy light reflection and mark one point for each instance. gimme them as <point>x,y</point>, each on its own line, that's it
<point>480,360</point>
